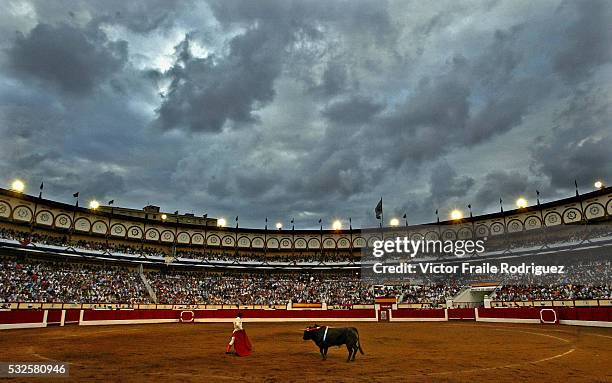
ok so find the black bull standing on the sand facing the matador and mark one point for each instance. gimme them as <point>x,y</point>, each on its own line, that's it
<point>334,337</point>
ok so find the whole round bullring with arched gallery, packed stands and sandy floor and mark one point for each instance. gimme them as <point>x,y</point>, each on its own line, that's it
<point>129,295</point>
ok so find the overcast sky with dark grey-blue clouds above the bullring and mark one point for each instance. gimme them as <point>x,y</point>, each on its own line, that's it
<point>306,109</point>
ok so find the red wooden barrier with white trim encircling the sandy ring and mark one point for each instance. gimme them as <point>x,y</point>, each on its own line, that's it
<point>581,316</point>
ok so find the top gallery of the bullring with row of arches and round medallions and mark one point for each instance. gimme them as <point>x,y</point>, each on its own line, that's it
<point>154,228</point>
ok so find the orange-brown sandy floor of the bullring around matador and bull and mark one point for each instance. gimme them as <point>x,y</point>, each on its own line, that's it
<point>394,352</point>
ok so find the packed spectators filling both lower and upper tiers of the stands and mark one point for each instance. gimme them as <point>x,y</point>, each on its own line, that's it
<point>23,280</point>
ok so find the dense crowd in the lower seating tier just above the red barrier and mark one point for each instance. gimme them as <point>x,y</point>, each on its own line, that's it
<point>28,280</point>
